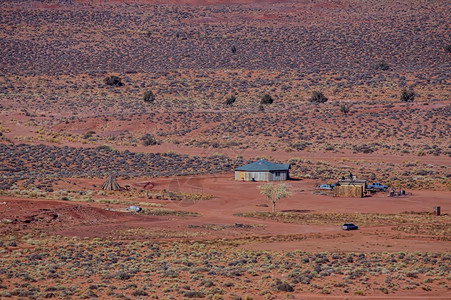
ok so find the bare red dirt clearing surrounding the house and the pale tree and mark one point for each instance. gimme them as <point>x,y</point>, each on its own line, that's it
<point>91,219</point>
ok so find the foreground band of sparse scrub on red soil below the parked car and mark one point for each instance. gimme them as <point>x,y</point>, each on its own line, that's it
<point>140,269</point>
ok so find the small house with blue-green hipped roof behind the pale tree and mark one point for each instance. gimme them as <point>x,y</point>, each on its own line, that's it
<point>262,170</point>
